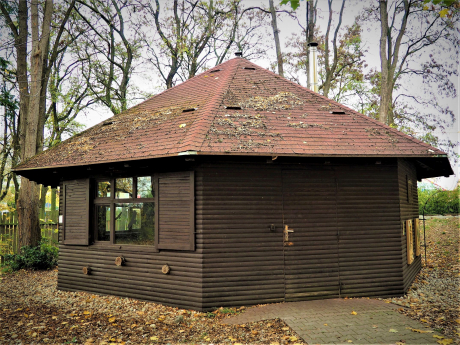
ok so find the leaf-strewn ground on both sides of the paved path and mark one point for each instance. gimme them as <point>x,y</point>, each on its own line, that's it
<point>33,311</point>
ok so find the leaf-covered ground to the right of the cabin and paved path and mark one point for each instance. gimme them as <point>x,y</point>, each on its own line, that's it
<point>434,297</point>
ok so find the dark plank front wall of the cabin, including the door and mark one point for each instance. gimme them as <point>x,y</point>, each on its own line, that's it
<point>242,260</point>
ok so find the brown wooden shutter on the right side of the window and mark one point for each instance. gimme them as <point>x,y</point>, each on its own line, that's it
<point>175,211</point>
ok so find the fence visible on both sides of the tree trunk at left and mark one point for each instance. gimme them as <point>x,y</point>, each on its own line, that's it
<point>9,235</point>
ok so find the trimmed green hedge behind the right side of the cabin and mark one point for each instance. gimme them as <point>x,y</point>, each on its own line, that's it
<point>439,202</point>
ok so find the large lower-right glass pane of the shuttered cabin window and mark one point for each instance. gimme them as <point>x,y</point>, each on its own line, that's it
<point>135,223</point>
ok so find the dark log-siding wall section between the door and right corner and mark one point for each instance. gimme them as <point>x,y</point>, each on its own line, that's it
<point>368,222</point>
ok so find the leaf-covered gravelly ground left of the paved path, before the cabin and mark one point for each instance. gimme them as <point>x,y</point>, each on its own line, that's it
<point>33,311</point>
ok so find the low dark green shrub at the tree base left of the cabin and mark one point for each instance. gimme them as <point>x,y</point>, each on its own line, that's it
<point>42,257</point>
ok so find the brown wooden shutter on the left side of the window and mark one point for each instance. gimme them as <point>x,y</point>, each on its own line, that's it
<point>76,212</point>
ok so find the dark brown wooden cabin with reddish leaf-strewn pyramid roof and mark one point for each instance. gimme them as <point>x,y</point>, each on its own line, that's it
<point>238,187</point>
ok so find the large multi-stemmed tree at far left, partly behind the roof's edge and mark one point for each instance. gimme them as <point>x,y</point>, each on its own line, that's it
<point>32,94</point>
